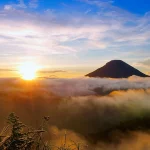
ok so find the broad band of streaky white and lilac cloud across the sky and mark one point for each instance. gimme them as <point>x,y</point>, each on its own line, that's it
<point>56,33</point>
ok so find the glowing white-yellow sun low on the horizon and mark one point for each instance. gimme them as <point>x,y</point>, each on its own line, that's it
<point>28,70</point>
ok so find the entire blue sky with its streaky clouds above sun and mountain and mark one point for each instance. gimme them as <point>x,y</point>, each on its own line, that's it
<point>75,35</point>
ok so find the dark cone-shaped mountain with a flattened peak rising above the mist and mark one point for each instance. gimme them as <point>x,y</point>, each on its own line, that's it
<point>116,69</point>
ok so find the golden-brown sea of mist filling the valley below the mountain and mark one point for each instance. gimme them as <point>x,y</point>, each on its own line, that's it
<point>101,113</point>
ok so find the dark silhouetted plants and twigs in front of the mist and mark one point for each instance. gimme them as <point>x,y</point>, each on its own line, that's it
<point>17,136</point>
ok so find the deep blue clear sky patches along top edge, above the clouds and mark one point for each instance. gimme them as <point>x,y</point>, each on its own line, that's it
<point>134,6</point>
